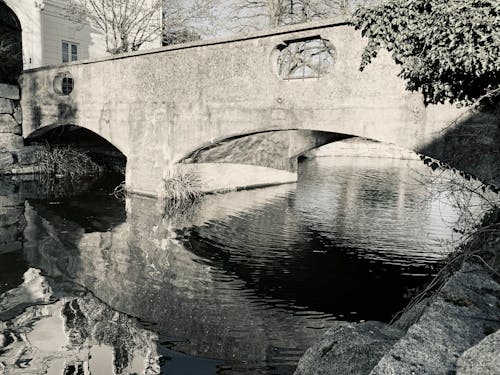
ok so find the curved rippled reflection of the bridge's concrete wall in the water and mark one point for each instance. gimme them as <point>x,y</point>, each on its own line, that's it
<point>139,269</point>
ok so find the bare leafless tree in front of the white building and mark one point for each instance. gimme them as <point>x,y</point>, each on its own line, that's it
<point>126,24</point>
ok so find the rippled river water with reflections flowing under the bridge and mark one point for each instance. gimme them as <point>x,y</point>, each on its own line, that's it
<point>242,283</point>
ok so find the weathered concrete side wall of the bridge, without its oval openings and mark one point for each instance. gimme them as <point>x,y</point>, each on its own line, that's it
<point>158,107</point>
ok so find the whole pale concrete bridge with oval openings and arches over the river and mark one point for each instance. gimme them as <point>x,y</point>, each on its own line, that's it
<point>238,111</point>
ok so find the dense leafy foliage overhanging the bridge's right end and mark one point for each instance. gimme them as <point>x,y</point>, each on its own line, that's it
<point>448,49</point>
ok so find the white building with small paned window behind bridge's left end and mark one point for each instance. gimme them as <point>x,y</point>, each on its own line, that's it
<point>49,37</point>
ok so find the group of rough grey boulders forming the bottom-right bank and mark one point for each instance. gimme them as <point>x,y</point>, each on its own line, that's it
<point>455,331</point>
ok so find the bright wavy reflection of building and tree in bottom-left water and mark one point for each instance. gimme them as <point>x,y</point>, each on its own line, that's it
<point>88,325</point>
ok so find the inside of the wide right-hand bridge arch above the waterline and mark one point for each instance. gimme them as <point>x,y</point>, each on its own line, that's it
<point>268,157</point>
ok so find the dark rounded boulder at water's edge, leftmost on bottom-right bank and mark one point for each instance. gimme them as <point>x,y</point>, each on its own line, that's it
<point>349,349</point>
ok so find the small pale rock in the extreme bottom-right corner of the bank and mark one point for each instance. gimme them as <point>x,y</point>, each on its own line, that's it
<point>481,359</point>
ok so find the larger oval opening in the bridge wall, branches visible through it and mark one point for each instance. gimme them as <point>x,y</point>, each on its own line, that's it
<point>305,58</point>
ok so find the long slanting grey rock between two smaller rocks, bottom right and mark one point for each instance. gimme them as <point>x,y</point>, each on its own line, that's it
<point>464,310</point>
